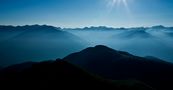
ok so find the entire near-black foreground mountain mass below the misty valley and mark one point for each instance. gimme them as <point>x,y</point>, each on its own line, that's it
<point>98,67</point>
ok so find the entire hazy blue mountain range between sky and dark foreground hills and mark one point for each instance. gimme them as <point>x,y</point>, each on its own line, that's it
<point>43,42</point>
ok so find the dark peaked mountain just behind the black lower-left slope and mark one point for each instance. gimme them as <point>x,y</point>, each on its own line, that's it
<point>118,65</point>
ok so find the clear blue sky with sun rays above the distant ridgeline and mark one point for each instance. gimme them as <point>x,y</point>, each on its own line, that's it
<point>82,13</point>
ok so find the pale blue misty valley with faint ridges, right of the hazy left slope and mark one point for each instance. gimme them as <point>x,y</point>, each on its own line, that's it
<point>157,42</point>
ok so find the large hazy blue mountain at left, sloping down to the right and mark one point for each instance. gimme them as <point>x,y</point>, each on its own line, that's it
<point>36,42</point>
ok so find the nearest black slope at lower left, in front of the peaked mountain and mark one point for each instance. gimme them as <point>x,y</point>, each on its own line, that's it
<point>61,75</point>
